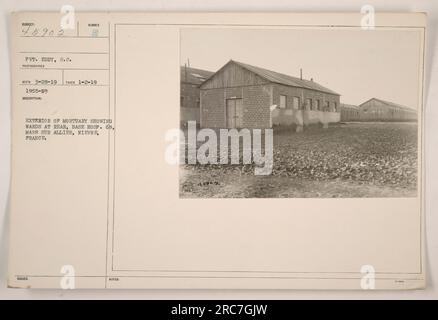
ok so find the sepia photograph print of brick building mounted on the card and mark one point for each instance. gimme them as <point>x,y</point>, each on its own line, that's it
<point>299,113</point>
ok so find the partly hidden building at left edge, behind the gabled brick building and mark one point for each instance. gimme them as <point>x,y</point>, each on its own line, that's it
<point>190,80</point>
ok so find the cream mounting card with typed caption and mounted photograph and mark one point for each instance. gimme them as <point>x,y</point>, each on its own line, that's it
<point>123,137</point>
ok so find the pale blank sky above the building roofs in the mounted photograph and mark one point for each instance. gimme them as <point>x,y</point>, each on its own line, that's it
<point>358,64</point>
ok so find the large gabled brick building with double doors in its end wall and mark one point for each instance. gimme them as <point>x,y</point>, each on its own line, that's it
<point>239,95</point>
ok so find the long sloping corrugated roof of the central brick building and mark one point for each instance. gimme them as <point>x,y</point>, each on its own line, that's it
<point>285,79</point>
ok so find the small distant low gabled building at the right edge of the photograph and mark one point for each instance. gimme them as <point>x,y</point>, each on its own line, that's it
<point>381,110</point>
